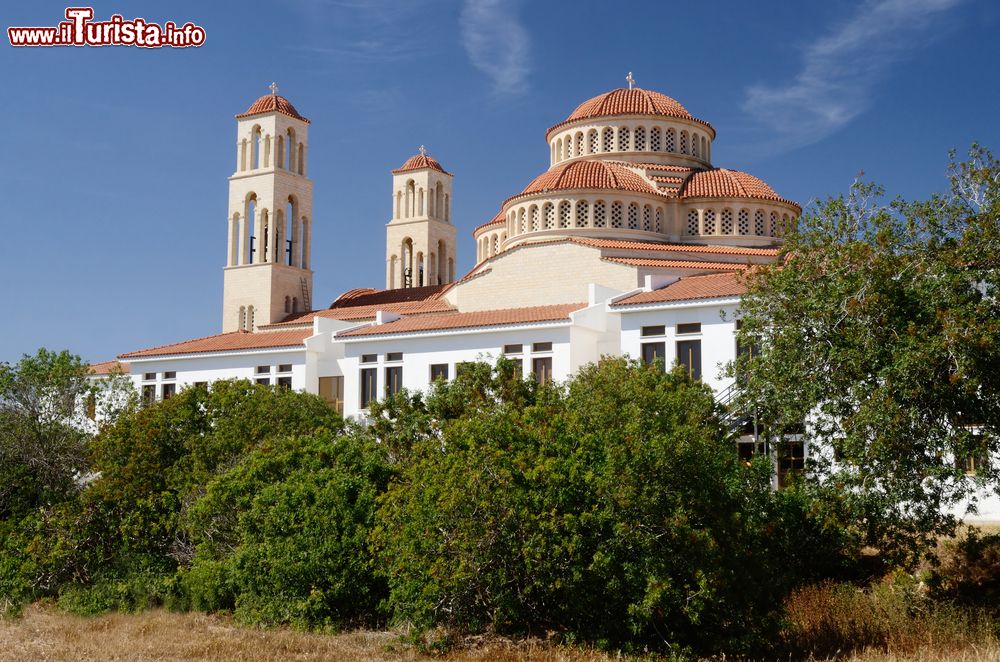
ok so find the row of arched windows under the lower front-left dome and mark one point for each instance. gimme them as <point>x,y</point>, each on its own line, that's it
<point>601,214</point>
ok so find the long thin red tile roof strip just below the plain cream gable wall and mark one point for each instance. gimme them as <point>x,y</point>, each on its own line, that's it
<point>479,318</point>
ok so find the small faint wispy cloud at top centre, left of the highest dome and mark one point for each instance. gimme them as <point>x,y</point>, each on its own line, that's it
<point>497,43</point>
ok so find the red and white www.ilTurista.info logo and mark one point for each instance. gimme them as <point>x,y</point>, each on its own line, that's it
<point>81,30</point>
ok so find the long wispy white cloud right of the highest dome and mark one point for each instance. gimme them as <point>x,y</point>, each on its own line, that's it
<point>841,69</point>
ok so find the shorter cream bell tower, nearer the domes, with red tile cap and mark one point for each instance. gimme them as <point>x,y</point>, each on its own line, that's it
<point>420,237</point>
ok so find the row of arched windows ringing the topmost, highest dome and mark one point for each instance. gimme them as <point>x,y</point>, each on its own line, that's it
<point>623,139</point>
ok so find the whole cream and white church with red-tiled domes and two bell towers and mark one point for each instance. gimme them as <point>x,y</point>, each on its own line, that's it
<point>630,244</point>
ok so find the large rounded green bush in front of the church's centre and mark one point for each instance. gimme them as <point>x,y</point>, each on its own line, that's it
<point>613,511</point>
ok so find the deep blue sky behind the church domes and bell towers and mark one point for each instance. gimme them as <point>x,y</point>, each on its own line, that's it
<point>114,182</point>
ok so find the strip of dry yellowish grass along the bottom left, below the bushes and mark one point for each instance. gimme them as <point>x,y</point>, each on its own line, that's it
<point>44,633</point>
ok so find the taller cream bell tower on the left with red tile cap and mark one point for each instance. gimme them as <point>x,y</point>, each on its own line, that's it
<point>267,274</point>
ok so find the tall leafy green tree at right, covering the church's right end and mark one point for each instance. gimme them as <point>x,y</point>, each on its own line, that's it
<point>881,329</point>
